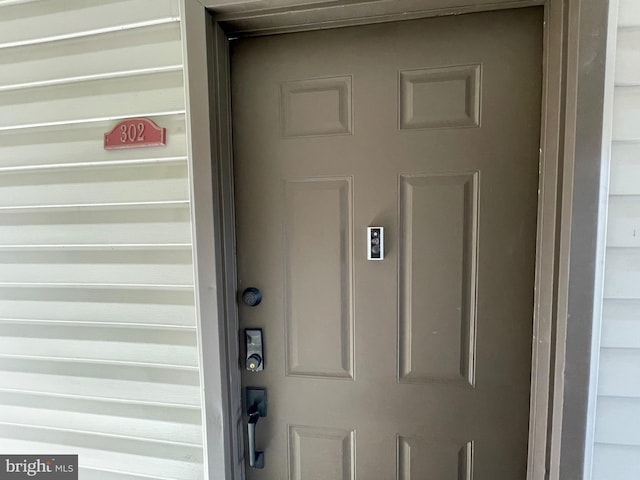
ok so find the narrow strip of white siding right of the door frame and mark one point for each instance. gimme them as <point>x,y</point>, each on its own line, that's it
<point>617,435</point>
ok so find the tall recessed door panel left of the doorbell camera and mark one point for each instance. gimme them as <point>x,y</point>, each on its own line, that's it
<point>318,291</point>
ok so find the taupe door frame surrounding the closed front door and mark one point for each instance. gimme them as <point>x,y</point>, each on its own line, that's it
<point>571,198</point>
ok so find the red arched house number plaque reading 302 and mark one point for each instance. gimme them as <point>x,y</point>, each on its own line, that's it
<point>135,133</point>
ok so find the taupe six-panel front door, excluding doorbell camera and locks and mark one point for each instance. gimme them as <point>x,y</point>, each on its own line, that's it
<point>416,366</point>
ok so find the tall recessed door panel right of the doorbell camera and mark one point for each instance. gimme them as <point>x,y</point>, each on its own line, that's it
<point>438,213</point>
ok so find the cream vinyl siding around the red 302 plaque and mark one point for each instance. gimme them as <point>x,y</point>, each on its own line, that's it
<point>98,341</point>
